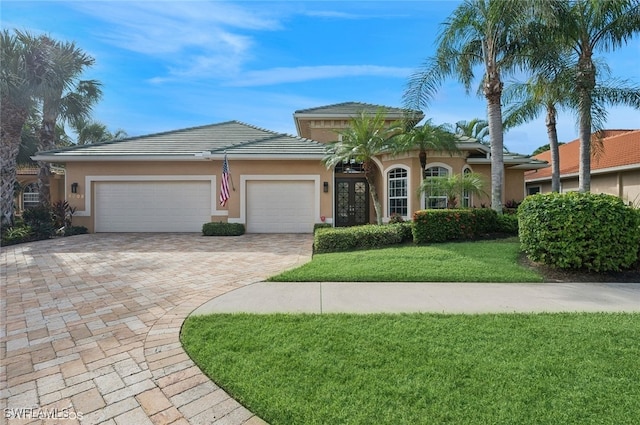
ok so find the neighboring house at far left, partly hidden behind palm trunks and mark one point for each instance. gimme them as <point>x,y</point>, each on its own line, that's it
<point>28,195</point>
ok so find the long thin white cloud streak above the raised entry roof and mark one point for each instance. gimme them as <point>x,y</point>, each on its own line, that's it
<point>307,73</point>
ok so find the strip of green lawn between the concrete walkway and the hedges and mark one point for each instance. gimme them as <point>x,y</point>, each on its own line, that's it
<point>483,261</point>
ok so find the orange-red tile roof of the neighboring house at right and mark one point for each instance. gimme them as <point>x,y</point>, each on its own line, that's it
<point>621,147</point>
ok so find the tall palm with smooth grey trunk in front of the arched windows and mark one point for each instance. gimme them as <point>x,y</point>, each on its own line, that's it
<point>479,33</point>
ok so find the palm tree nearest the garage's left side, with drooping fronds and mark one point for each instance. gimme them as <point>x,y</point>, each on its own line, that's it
<point>70,98</point>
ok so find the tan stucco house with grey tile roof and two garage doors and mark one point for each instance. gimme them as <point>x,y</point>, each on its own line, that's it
<point>170,182</point>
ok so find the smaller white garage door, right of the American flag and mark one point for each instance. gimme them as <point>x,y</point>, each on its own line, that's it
<point>280,206</point>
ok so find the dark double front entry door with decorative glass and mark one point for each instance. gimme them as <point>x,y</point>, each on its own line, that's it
<point>352,202</point>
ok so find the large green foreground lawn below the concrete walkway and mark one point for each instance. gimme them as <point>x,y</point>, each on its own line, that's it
<point>425,369</point>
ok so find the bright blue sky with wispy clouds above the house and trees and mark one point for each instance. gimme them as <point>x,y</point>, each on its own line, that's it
<point>166,65</point>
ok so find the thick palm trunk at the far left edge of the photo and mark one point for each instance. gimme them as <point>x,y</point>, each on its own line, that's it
<point>12,119</point>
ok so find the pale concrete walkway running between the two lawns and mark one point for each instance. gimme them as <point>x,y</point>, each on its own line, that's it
<point>397,297</point>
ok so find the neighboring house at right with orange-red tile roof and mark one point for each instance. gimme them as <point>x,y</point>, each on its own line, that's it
<point>614,170</point>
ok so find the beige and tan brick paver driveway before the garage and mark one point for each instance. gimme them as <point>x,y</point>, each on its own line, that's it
<point>90,324</point>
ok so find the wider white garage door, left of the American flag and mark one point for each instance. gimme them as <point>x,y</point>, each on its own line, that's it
<point>158,206</point>
